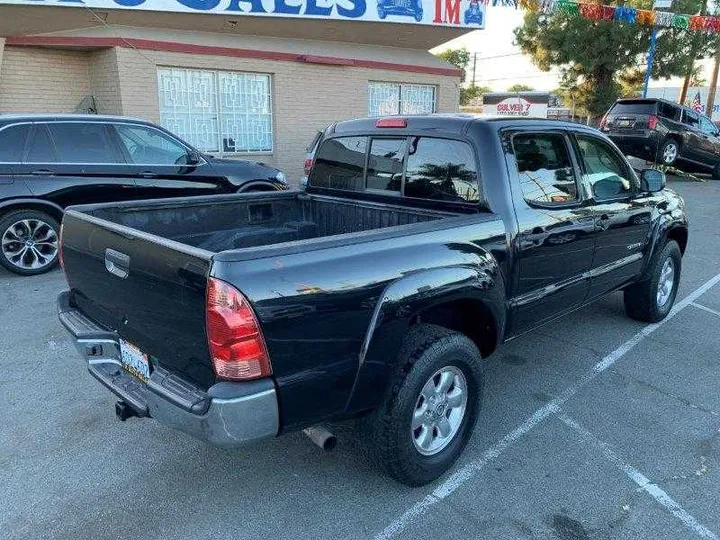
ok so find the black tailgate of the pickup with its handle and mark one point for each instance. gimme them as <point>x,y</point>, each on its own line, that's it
<point>151,291</point>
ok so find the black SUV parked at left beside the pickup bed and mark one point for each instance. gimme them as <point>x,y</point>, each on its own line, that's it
<point>50,162</point>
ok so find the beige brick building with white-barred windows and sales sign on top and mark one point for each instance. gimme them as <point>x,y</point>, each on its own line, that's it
<point>239,78</point>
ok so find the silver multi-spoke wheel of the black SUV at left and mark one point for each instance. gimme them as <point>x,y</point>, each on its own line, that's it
<point>28,242</point>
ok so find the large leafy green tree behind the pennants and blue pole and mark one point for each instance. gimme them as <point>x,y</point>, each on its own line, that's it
<point>594,56</point>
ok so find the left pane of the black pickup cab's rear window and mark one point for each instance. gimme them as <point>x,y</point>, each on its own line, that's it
<point>340,164</point>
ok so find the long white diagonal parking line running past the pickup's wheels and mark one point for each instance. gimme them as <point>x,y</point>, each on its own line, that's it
<point>460,477</point>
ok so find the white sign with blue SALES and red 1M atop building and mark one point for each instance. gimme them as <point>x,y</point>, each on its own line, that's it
<point>459,13</point>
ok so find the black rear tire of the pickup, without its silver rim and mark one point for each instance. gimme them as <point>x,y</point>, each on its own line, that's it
<point>426,350</point>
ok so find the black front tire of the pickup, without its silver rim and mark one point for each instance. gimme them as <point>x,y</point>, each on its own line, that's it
<point>641,299</point>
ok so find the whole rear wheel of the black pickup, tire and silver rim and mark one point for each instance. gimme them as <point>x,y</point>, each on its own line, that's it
<point>432,406</point>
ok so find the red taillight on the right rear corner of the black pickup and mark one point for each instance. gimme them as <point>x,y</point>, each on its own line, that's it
<point>237,346</point>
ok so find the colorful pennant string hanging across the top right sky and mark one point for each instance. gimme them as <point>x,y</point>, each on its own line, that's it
<point>624,14</point>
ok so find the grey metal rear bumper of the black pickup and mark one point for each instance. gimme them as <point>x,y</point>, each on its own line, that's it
<point>227,415</point>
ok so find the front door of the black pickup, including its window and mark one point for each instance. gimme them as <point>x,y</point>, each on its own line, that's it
<point>622,214</point>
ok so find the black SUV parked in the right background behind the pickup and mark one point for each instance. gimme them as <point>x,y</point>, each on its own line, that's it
<point>664,132</point>
